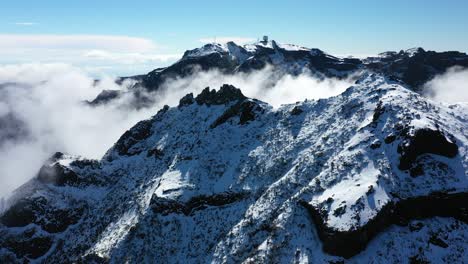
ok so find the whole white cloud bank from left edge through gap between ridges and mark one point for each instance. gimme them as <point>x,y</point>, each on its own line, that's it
<point>47,101</point>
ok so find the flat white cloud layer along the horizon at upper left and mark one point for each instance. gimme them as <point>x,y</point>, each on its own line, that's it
<point>119,55</point>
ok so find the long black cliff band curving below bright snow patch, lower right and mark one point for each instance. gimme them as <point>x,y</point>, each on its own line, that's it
<point>349,243</point>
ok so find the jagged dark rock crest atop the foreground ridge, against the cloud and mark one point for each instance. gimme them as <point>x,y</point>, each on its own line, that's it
<point>227,93</point>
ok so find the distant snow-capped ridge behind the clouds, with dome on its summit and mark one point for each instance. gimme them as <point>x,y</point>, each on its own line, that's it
<point>413,67</point>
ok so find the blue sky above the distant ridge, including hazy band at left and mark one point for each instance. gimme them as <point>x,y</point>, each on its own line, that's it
<point>167,28</point>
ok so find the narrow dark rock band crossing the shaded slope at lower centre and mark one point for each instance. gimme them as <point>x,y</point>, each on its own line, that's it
<point>166,206</point>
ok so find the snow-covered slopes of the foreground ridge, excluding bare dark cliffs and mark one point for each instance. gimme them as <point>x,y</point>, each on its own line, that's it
<point>193,189</point>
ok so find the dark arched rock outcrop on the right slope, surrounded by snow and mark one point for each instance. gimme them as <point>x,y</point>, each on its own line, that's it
<point>425,141</point>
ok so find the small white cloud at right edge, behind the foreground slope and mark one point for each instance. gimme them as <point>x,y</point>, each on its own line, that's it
<point>450,87</point>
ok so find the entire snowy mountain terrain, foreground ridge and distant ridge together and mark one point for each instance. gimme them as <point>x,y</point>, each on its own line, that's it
<point>377,174</point>
